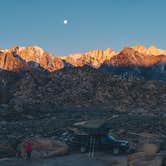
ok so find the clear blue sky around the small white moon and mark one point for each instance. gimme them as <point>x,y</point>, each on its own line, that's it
<point>92,24</point>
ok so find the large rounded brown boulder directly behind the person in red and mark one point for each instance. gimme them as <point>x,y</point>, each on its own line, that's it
<point>44,148</point>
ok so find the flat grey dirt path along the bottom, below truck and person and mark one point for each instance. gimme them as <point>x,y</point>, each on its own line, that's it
<point>70,160</point>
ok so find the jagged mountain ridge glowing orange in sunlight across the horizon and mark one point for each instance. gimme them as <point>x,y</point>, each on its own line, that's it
<point>137,57</point>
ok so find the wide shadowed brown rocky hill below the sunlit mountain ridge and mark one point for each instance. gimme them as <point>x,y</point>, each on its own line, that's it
<point>82,87</point>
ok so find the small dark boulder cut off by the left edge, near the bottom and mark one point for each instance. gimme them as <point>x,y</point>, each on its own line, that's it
<point>6,151</point>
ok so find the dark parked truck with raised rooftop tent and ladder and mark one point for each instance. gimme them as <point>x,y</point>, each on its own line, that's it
<point>93,136</point>
